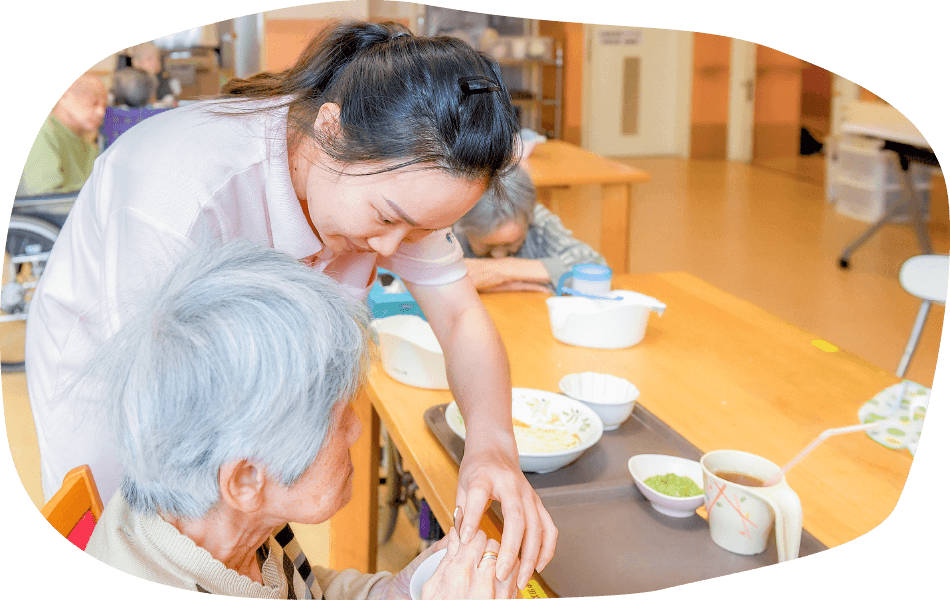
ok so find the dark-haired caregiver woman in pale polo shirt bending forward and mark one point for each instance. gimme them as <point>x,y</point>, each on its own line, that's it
<point>362,154</point>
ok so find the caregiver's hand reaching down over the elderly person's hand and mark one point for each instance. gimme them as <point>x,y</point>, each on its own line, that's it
<point>486,475</point>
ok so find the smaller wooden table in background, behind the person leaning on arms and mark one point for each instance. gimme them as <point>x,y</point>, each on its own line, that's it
<point>556,165</point>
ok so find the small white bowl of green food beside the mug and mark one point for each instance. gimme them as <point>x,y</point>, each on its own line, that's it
<point>673,485</point>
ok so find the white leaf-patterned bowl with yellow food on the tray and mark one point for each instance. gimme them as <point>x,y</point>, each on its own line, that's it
<point>551,430</point>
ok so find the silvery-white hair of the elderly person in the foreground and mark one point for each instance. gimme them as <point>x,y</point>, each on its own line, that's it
<point>241,354</point>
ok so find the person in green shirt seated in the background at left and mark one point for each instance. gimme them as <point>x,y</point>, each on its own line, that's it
<point>64,150</point>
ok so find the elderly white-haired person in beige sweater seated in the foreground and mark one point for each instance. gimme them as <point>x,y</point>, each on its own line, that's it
<point>229,395</point>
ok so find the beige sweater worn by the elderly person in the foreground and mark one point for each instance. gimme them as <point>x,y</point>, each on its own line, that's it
<point>149,548</point>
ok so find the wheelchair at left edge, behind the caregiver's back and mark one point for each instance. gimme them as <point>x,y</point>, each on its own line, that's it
<point>35,223</point>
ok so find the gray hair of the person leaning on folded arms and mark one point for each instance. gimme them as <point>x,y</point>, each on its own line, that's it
<point>491,211</point>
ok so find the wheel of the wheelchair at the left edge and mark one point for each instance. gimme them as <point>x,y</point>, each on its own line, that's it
<point>29,240</point>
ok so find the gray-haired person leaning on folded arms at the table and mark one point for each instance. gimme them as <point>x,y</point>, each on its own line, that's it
<point>518,245</point>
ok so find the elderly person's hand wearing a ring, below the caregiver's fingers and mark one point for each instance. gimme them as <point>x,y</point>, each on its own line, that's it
<point>466,571</point>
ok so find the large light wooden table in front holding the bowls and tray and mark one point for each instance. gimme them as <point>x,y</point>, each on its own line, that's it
<point>720,371</point>
